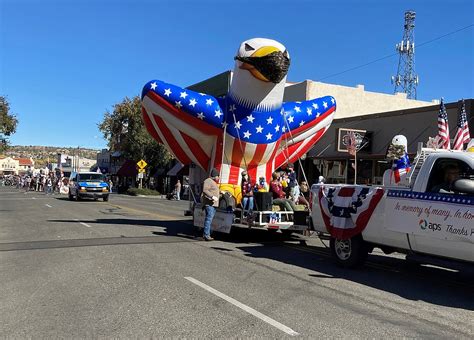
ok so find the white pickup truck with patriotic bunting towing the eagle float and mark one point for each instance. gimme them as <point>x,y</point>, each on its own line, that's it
<point>418,218</point>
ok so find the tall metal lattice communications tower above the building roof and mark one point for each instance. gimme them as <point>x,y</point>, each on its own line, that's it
<point>406,80</point>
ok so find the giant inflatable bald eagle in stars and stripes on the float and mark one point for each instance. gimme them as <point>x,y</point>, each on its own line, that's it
<point>250,128</point>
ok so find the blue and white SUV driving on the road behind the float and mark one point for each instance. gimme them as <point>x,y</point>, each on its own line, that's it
<point>88,184</point>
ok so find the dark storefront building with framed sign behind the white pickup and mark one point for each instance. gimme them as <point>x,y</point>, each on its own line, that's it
<point>330,158</point>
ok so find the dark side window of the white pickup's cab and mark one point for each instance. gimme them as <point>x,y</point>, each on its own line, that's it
<point>445,171</point>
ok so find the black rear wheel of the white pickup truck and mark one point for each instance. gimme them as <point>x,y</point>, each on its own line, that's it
<point>349,253</point>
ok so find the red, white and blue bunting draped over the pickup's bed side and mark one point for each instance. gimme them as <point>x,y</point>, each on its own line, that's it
<point>346,210</point>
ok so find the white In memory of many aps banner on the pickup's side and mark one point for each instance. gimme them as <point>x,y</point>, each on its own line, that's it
<point>441,216</point>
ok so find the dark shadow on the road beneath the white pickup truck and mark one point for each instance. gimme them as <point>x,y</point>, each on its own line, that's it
<point>394,275</point>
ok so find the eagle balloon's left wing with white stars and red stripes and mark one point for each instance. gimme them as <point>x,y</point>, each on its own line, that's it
<point>186,122</point>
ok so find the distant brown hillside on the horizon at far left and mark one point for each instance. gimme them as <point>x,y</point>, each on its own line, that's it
<point>40,154</point>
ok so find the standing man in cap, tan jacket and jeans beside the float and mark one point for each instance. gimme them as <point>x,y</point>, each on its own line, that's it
<point>210,201</point>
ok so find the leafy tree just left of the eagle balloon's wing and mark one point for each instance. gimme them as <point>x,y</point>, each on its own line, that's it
<point>124,130</point>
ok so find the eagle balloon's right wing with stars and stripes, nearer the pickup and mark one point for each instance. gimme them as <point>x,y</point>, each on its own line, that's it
<point>305,123</point>
